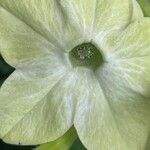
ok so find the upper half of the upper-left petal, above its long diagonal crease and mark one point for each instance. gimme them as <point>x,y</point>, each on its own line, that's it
<point>46,17</point>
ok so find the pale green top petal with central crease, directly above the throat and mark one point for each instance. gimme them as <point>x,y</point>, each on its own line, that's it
<point>98,16</point>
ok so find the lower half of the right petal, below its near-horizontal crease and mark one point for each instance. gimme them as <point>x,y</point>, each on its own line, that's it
<point>136,74</point>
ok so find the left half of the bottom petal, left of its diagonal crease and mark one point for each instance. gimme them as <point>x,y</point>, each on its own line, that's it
<point>94,120</point>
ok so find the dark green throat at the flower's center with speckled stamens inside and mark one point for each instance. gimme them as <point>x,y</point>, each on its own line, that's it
<point>86,55</point>
